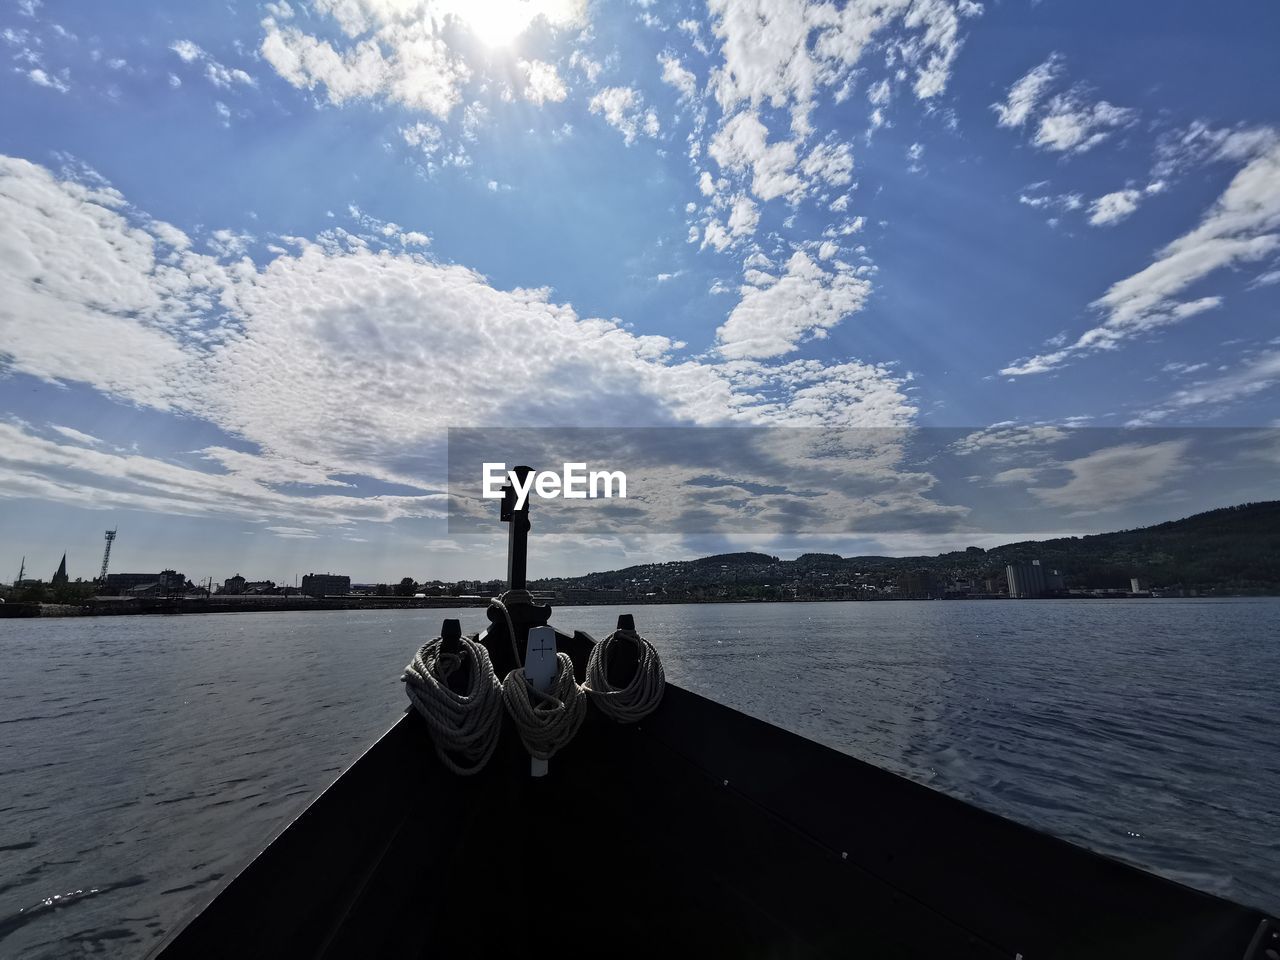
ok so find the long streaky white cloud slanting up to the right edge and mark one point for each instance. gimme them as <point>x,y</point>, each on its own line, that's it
<point>1242,226</point>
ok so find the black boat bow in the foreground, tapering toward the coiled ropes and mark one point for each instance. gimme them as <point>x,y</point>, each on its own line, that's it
<point>700,833</point>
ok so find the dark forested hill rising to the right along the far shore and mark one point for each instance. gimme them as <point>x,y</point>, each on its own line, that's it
<point>1228,551</point>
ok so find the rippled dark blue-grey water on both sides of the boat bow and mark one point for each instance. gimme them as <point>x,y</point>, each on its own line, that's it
<point>143,760</point>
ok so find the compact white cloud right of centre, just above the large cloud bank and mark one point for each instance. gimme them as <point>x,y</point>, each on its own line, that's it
<point>803,304</point>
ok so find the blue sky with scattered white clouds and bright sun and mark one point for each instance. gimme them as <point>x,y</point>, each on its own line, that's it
<point>258,259</point>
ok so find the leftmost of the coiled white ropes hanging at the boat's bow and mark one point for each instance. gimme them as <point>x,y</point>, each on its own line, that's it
<point>464,726</point>
